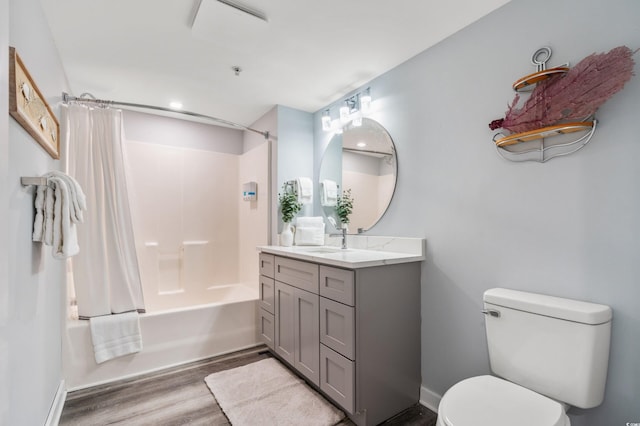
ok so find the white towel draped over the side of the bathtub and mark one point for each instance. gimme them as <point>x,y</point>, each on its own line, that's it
<point>115,335</point>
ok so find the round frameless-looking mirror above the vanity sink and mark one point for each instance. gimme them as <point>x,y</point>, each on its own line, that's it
<point>362,159</point>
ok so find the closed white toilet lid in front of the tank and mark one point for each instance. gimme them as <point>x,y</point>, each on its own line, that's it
<point>488,400</point>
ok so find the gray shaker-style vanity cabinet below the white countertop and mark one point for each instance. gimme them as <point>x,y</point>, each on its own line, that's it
<point>353,333</point>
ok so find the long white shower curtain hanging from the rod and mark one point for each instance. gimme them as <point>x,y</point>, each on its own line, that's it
<point>105,272</point>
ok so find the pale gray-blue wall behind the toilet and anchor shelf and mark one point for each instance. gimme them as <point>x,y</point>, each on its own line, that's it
<point>569,227</point>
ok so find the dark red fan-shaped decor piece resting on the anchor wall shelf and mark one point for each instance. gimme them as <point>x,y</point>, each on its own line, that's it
<point>573,96</point>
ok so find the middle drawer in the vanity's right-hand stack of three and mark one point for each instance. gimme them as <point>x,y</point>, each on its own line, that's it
<point>337,327</point>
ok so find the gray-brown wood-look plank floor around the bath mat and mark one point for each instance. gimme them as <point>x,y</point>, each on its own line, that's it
<point>179,396</point>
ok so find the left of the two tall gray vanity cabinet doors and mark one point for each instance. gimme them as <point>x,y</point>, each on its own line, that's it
<point>284,322</point>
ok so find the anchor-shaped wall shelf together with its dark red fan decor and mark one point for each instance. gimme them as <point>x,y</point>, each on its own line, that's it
<point>563,101</point>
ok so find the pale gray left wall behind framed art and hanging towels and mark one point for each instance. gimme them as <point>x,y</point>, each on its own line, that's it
<point>32,282</point>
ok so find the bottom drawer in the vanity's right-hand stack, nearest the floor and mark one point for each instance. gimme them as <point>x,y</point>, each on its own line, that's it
<point>337,378</point>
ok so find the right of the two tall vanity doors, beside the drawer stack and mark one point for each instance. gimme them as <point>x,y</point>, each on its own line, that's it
<point>307,334</point>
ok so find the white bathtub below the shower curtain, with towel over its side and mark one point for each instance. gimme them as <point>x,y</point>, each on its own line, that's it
<point>226,323</point>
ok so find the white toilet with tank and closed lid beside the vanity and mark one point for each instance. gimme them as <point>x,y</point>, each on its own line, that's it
<point>547,354</point>
